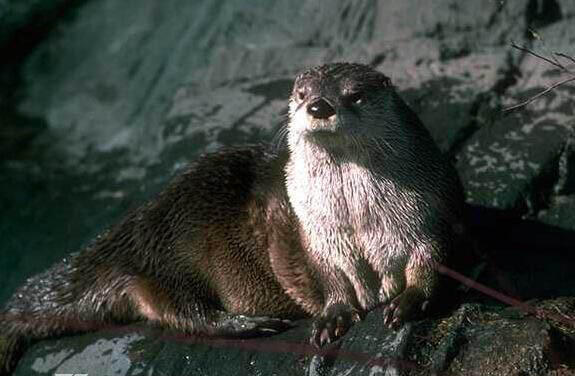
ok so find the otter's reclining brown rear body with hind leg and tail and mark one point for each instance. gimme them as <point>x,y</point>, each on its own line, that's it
<point>186,260</point>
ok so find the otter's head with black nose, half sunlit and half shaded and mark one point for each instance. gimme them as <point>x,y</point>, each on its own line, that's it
<point>337,106</point>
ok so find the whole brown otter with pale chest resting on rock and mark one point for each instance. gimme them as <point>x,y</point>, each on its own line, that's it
<point>354,212</point>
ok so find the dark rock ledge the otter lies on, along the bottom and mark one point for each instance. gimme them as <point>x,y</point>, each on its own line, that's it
<point>472,341</point>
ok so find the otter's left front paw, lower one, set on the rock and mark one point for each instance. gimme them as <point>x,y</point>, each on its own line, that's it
<point>334,322</point>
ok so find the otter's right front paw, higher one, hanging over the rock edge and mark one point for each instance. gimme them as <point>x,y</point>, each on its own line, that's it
<point>406,306</point>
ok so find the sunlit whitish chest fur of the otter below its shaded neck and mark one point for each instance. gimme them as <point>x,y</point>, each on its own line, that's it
<point>352,220</point>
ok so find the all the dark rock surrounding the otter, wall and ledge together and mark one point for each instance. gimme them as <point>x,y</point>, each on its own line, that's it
<point>102,101</point>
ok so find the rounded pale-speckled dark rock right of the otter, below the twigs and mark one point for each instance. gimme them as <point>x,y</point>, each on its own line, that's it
<point>511,164</point>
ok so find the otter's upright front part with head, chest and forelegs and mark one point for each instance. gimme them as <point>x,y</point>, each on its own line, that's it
<point>377,201</point>
